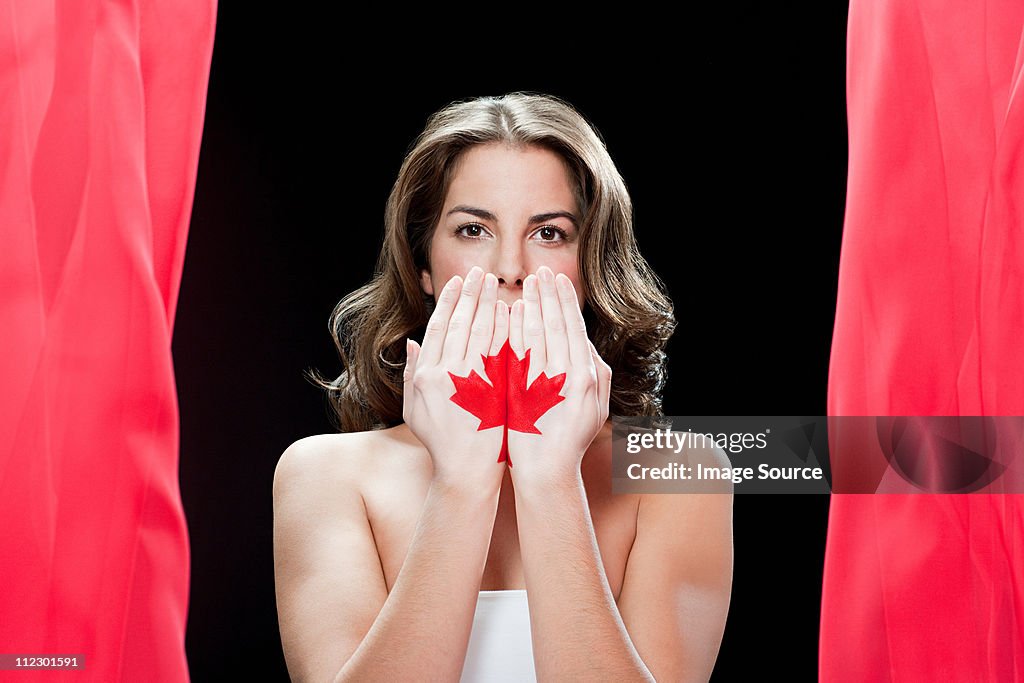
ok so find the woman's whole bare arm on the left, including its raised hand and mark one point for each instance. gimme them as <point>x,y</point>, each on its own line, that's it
<point>338,621</point>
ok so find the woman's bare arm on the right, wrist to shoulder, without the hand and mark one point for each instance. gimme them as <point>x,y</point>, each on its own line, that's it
<point>671,614</point>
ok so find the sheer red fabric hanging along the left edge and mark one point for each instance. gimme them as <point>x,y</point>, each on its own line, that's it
<point>100,135</point>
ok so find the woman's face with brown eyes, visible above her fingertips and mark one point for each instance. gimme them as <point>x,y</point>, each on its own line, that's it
<point>509,211</point>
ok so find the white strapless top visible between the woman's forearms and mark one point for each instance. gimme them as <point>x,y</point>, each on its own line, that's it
<point>500,646</point>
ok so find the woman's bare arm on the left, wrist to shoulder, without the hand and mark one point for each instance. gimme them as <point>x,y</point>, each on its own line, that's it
<point>338,623</point>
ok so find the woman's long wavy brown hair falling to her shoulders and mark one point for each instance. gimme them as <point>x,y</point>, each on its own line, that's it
<point>629,316</point>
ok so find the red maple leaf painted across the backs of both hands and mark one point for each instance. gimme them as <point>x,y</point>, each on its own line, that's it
<point>507,401</point>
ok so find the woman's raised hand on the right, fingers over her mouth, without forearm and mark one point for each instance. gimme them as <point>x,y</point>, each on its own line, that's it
<point>549,323</point>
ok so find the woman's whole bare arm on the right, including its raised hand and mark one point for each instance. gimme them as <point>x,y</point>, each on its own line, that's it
<point>678,578</point>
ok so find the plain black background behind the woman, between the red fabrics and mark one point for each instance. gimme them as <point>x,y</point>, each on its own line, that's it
<point>730,129</point>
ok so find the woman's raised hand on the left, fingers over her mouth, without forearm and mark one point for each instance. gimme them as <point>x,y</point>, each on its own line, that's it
<point>465,326</point>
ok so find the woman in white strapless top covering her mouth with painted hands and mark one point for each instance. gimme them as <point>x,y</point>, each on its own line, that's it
<point>429,541</point>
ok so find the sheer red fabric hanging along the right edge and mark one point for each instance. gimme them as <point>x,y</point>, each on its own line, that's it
<point>930,321</point>
